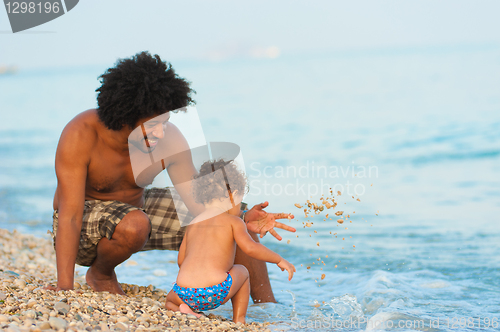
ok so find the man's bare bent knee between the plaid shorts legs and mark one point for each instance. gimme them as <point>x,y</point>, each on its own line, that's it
<point>135,227</point>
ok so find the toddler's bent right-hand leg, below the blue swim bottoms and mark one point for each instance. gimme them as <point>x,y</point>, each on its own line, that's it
<point>239,292</point>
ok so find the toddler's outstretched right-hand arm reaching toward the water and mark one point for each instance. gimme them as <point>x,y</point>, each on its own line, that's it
<point>257,250</point>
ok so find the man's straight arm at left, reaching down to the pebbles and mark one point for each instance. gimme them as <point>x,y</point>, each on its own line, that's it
<point>72,158</point>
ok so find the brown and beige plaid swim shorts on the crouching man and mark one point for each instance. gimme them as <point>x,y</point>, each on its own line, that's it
<point>101,217</point>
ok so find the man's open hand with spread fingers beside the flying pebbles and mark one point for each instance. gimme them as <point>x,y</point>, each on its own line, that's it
<point>261,222</point>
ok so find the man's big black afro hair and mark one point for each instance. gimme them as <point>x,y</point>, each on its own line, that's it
<point>140,87</point>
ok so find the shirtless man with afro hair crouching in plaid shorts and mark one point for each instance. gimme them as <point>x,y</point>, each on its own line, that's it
<point>102,213</point>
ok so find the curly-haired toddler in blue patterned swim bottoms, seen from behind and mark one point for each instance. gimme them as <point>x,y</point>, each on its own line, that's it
<point>207,275</point>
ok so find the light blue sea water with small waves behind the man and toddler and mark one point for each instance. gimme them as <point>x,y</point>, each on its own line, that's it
<point>413,133</point>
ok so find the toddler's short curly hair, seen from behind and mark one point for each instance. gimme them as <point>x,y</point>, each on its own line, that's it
<point>210,184</point>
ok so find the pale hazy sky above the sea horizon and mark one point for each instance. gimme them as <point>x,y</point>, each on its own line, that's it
<point>99,32</point>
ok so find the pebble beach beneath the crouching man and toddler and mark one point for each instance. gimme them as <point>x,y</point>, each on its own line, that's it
<point>27,265</point>
